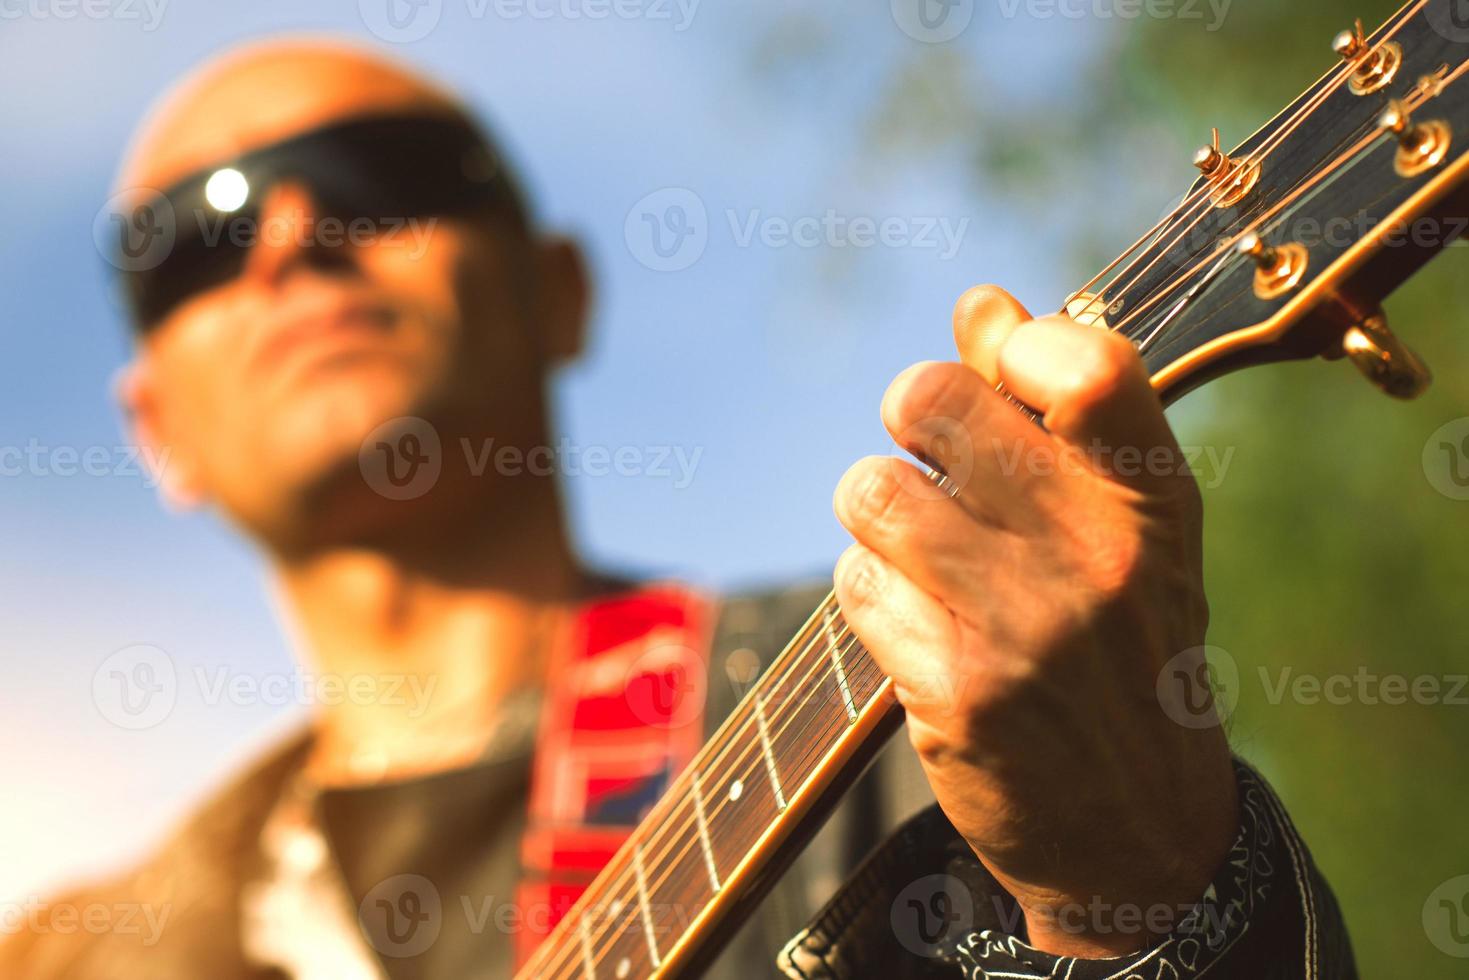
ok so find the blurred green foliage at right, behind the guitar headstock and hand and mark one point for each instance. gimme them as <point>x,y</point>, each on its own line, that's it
<point>1329,549</point>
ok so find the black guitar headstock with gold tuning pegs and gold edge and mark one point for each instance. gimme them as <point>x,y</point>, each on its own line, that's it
<point>1286,246</point>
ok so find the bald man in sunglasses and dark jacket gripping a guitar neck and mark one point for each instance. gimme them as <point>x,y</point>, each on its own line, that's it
<point>1080,831</point>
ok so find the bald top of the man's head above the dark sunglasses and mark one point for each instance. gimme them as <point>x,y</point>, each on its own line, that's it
<point>267,92</point>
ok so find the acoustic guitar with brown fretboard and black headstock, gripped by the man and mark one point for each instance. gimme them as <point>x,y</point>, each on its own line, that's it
<point>1285,248</point>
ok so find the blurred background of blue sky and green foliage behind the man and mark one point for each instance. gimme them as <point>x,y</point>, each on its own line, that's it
<point>1017,143</point>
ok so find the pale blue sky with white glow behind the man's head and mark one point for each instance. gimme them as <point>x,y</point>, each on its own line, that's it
<point>766,356</point>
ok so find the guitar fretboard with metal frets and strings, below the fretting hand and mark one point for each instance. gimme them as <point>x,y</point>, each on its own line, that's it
<point>806,728</point>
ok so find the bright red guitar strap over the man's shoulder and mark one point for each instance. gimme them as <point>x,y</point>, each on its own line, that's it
<point>624,716</point>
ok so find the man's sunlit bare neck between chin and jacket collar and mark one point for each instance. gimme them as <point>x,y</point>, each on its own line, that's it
<point>428,635</point>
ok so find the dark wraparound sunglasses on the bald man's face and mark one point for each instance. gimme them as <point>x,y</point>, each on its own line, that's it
<point>365,176</point>
